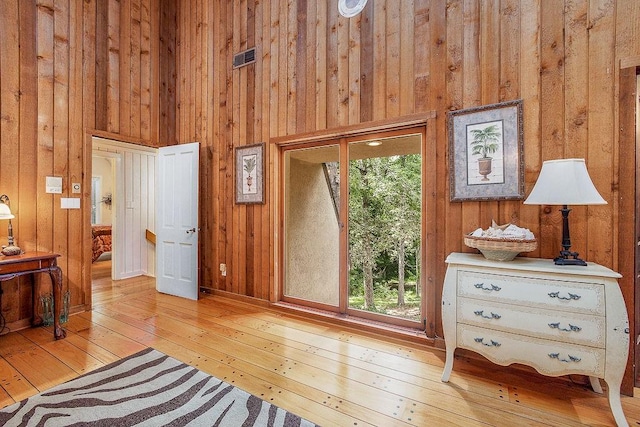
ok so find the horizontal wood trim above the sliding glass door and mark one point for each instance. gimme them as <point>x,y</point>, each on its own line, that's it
<point>351,131</point>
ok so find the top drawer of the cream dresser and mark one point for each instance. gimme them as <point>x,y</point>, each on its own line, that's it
<point>554,294</point>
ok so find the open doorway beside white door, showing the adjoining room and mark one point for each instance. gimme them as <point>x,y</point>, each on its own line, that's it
<point>122,208</point>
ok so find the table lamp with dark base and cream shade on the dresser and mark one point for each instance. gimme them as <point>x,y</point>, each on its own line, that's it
<point>565,182</point>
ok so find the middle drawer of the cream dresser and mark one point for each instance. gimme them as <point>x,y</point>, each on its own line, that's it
<point>576,328</point>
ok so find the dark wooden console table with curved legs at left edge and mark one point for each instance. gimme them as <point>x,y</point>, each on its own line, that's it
<point>32,263</point>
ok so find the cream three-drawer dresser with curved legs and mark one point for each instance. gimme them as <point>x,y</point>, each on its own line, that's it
<point>557,319</point>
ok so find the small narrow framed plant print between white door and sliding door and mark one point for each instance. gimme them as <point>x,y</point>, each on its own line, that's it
<point>250,174</point>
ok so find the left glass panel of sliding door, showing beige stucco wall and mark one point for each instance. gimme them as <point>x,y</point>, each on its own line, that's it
<point>312,225</point>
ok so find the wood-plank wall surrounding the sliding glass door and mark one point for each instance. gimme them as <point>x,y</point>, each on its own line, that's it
<point>316,70</point>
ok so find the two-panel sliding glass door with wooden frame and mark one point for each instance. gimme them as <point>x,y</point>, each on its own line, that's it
<point>353,227</point>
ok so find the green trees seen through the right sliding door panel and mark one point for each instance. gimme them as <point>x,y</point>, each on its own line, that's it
<point>384,234</point>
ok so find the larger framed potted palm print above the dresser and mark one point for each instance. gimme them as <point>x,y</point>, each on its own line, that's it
<point>486,152</point>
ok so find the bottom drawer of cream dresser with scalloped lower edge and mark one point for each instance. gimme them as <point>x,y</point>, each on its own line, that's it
<point>547,357</point>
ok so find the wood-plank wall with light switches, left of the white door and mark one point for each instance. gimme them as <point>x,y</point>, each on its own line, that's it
<point>69,69</point>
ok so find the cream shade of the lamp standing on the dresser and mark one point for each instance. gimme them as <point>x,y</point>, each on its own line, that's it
<point>564,182</point>
